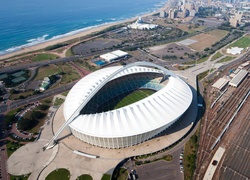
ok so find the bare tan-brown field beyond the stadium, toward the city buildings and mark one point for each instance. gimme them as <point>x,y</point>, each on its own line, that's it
<point>205,40</point>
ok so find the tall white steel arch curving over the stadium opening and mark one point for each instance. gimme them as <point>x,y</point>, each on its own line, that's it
<point>96,89</point>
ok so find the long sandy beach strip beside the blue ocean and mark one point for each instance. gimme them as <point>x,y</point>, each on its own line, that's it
<point>77,35</point>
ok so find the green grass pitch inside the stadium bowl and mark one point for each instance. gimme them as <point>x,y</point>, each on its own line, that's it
<point>134,97</point>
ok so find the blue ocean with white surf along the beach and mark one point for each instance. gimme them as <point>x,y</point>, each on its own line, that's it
<point>24,23</point>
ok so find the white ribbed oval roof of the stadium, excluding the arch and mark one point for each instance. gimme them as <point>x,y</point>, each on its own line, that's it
<point>150,113</point>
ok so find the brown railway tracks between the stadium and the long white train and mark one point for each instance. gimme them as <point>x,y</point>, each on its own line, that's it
<point>216,120</point>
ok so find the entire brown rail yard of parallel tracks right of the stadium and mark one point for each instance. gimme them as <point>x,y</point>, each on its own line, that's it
<point>215,126</point>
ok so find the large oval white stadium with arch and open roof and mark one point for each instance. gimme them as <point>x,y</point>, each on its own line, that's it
<point>121,106</point>
